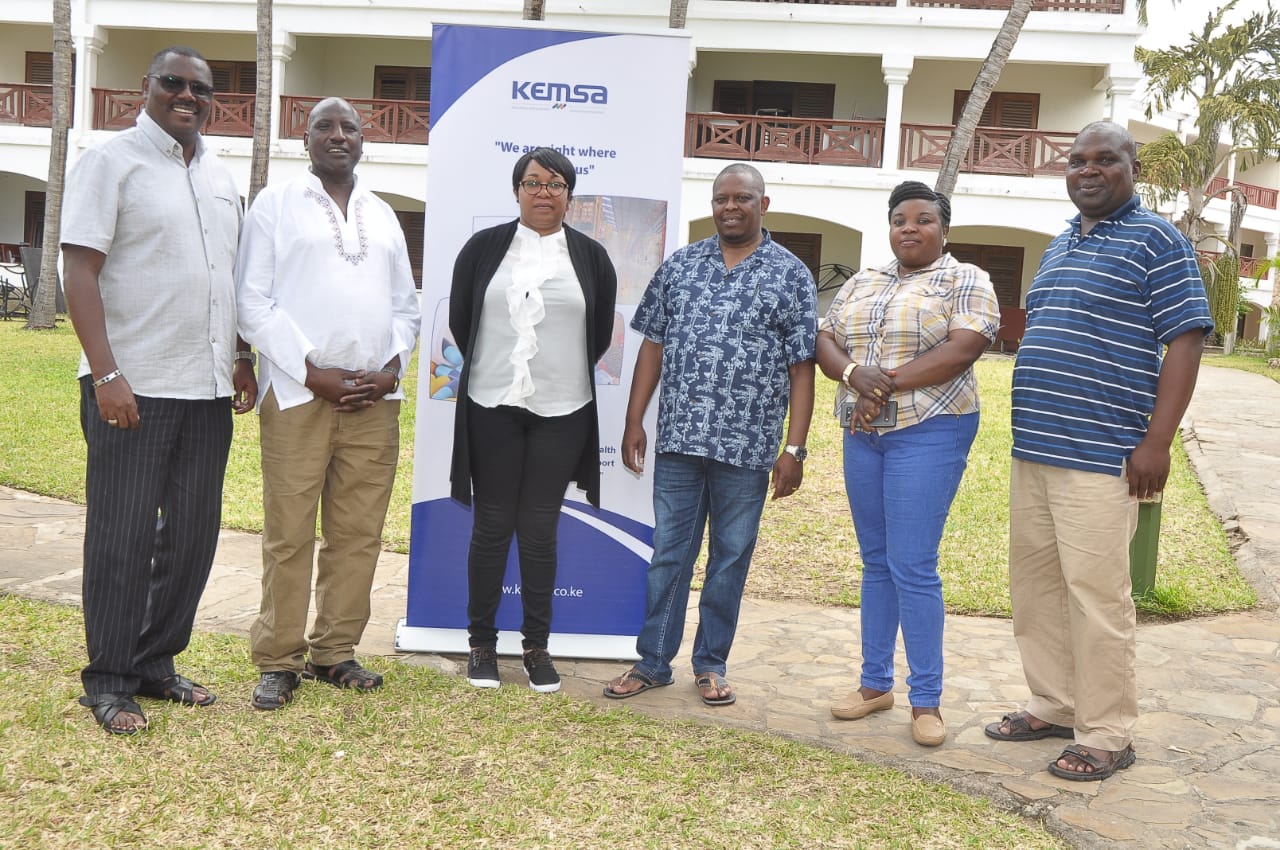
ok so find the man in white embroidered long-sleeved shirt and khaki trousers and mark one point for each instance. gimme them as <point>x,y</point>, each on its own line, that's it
<point>326,295</point>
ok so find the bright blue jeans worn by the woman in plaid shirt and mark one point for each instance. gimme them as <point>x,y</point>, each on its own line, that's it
<point>900,488</point>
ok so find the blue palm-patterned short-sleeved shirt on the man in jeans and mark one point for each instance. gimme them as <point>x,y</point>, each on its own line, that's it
<point>729,339</point>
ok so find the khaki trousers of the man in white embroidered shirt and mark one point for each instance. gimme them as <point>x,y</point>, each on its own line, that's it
<point>345,465</point>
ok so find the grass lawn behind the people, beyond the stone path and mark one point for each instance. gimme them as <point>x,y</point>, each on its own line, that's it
<point>807,549</point>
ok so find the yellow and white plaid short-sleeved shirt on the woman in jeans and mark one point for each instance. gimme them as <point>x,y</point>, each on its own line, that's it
<point>888,322</point>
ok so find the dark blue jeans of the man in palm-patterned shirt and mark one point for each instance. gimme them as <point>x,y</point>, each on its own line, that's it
<point>688,492</point>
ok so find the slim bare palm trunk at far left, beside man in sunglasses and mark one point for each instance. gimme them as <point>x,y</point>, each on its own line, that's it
<point>42,316</point>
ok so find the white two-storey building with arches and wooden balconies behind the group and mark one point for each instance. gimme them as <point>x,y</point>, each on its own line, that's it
<point>835,100</point>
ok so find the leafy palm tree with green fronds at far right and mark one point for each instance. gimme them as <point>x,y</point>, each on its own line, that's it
<point>1231,74</point>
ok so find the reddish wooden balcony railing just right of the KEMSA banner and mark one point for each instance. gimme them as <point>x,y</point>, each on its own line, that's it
<point>816,141</point>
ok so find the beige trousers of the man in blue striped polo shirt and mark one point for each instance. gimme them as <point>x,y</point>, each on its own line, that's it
<point>1075,619</point>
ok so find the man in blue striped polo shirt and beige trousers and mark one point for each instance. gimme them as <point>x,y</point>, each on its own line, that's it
<point>1095,410</point>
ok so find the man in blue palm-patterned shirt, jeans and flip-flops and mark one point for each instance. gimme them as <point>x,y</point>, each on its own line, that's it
<point>730,326</point>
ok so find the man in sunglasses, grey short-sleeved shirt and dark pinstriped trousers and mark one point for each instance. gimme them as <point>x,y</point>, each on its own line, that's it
<point>150,223</point>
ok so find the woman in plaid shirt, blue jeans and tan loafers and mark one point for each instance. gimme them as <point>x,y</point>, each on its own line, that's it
<point>903,340</point>
